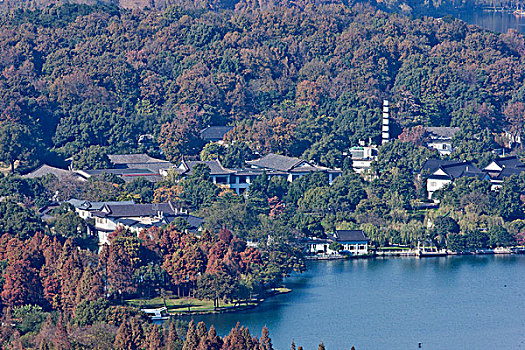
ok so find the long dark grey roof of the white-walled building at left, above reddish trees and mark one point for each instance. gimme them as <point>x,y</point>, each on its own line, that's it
<point>137,210</point>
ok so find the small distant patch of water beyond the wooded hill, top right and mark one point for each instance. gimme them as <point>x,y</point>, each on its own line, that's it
<point>494,21</point>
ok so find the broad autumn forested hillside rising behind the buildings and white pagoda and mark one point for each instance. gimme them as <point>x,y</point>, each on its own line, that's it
<point>304,81</point>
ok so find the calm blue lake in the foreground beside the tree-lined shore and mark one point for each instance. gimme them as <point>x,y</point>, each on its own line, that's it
<point>465,302</point>
